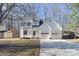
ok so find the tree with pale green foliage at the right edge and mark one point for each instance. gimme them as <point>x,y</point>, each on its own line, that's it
<point>72,16</point>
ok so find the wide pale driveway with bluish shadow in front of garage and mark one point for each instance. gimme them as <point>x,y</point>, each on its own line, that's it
<point>58,47</point>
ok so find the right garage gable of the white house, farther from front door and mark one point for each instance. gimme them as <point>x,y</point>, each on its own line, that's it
<point>56,31</point>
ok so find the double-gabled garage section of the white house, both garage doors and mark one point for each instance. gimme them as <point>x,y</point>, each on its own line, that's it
<point>51,30</point>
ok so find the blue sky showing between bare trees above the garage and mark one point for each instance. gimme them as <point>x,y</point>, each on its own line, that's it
<point>60,6</point>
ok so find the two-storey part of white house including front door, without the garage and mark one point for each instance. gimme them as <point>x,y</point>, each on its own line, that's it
<point>29,29</point>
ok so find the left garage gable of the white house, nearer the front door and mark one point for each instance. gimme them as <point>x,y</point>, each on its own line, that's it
<point>45,30</point>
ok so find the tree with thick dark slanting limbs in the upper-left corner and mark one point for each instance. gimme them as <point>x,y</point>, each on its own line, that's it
<point>4,9</point>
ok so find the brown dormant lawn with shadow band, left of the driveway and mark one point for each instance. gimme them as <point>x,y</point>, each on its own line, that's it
<point>21,47</point>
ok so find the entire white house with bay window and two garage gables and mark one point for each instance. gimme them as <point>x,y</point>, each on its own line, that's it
<point>40,29</point>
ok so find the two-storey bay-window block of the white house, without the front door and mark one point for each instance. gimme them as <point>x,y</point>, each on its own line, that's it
<point>26,28</point>
